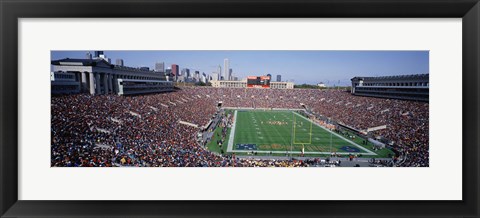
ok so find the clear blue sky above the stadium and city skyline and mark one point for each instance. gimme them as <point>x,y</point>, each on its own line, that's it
<point>309,67</point>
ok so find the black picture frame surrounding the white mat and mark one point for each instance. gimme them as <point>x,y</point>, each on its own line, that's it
<point>11,11</point>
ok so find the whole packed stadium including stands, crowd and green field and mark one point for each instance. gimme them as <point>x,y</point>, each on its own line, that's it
<point>159,125</point>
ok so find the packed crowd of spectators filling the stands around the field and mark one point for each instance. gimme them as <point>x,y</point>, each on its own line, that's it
<point>144,130</point>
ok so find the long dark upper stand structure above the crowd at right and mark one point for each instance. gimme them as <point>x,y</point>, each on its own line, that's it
<point>405,87</point>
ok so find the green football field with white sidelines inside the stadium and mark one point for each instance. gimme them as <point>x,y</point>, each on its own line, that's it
<point>287,132</point>
